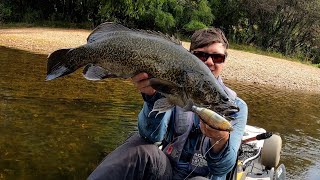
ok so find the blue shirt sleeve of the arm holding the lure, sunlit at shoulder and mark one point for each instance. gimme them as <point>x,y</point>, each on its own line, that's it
<point>222,162</point>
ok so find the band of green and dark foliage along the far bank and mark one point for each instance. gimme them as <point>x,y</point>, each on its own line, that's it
<point>289,27</point>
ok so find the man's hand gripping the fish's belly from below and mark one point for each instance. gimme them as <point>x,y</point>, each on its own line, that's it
<point>141,81</point>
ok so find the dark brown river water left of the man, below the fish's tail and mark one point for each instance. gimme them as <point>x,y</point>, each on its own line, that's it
<point>58,129</point>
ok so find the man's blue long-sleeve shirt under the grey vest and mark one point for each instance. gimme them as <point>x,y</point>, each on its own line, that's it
<point>156,129</point>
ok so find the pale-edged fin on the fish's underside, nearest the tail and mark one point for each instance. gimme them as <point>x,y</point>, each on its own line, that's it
<point>94,72</point>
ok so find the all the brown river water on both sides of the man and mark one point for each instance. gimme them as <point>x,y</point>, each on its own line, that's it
<point>61,129</point>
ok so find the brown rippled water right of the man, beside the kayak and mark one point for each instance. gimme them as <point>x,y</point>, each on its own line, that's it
<point>295,116</point>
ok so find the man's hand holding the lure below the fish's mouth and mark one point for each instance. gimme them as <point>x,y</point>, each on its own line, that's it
<point>215,135</point>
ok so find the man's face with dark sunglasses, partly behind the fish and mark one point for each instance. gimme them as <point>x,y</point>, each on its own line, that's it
<point>214,61</point>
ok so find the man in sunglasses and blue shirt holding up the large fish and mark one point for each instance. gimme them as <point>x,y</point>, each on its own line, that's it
<point>189,148</point>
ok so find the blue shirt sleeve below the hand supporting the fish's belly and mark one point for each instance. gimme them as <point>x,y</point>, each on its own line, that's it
<point>152,126</point>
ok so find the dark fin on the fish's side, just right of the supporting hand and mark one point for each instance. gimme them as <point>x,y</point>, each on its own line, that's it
<point>163,86</point>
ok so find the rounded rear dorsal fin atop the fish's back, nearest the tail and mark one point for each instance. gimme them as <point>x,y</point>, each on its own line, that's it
<point>103,29</point>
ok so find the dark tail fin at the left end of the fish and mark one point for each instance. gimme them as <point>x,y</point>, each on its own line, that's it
<point>57,64</point>
